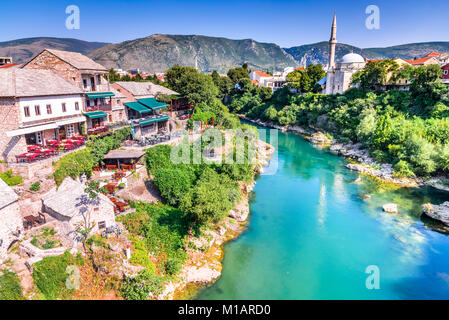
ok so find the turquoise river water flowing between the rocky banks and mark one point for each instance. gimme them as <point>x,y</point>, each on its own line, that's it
<point>312,236</point>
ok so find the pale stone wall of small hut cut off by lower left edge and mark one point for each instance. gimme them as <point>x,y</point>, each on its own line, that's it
<point>10,222</point>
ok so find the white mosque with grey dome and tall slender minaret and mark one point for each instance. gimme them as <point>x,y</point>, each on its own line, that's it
<point>339,75</point>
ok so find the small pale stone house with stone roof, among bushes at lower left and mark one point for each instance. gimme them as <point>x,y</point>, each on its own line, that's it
<point>74,210</point>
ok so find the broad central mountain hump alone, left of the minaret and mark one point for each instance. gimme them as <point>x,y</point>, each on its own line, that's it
<point>158,52</point>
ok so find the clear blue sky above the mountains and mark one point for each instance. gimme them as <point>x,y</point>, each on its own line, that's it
<point>285,22</point>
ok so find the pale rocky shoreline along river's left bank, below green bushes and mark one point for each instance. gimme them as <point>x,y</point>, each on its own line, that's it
<point>205,254</point>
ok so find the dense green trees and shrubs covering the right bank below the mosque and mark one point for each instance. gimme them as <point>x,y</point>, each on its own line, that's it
<point>406,128</point>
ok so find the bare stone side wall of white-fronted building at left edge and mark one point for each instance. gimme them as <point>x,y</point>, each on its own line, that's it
<point>10,120</point>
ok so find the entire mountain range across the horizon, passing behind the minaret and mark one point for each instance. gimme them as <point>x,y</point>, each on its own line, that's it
<point>158,52</point>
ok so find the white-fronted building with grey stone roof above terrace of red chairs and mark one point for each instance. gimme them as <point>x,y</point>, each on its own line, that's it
<point>35,106</point>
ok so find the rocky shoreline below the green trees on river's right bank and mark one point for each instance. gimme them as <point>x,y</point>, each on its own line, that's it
<point>359,156</point>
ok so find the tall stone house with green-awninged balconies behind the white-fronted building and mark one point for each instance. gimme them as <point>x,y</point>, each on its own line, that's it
<point>100,104</point>
